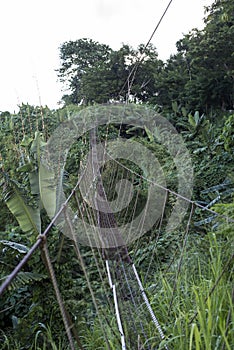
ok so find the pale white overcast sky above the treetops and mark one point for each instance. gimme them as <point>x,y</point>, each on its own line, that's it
<point>31,32</point>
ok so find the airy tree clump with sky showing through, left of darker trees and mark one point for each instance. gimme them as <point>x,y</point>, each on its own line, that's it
<point>95,73</point>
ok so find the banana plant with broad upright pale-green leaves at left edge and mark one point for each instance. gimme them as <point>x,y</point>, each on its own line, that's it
<point>25,200</point>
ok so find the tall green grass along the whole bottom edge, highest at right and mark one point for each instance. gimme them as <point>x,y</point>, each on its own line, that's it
<point>195,310</point>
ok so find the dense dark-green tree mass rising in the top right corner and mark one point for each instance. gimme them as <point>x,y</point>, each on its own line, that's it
<point>201,74</point>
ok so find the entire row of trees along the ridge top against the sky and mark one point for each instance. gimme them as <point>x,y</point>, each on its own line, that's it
<point>199,76</point>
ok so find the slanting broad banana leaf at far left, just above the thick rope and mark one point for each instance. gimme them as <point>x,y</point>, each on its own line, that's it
<point>27,217</point>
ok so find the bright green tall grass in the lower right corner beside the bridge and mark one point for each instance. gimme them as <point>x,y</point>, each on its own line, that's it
<point>201,316</point>
